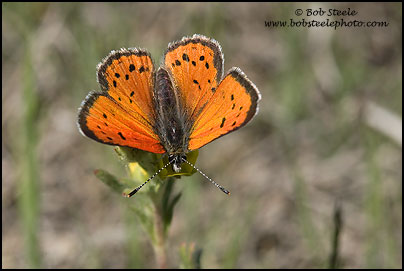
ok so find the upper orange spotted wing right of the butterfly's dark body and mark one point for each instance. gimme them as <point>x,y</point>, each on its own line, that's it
<point>196,65</point>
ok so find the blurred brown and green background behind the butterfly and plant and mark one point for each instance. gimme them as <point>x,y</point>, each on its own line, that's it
<point>327,137</point>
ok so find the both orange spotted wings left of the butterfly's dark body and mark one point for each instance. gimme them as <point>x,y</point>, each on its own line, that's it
<point>122,114</point>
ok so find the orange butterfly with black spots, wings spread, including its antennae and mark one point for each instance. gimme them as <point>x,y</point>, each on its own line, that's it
<point>174,109</point>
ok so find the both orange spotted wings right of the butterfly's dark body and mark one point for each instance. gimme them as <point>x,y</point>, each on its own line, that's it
<point>214,109</point>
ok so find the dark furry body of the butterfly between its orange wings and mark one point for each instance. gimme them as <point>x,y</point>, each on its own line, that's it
<point>169,125</point>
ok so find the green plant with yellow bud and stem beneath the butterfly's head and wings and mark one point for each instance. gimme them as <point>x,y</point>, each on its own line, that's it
<point>154,203</point>
